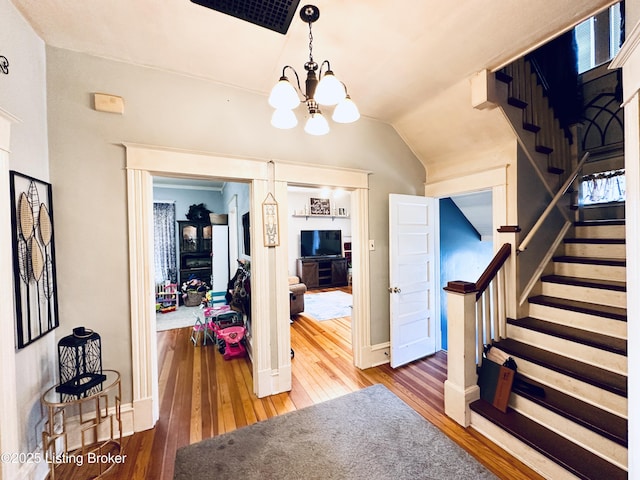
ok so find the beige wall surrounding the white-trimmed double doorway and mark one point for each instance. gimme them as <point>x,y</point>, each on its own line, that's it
<point>87,170</point>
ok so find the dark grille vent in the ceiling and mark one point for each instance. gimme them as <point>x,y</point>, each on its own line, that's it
<point>275,15</point>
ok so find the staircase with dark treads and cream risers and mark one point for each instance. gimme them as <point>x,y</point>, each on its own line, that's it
<point>569,400</point>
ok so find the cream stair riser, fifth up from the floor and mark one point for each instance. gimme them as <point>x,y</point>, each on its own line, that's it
<point>591,323</point>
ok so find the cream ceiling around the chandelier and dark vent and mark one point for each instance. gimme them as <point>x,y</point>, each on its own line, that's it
<point>396,57</point>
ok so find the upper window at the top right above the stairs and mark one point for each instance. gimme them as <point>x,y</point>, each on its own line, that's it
<point>598,38</point>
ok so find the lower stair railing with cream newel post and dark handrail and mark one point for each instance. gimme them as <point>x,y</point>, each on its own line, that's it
<point>476,315</point>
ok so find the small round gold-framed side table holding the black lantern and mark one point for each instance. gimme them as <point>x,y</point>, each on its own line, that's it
<point>92,418</point>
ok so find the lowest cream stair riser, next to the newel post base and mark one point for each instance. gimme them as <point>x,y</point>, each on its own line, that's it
<point>519,449</point>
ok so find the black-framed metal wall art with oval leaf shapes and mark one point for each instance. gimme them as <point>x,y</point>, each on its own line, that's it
<point>34,266</point>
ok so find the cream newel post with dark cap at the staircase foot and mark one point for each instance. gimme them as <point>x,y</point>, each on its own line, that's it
<point>460,388</point>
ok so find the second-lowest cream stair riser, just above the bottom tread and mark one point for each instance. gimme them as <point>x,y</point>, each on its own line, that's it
<point>588,439</point>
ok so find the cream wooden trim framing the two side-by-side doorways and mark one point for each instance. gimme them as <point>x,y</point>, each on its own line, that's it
<point>271,374</point>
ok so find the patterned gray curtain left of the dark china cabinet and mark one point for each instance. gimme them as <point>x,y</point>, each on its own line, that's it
<point>164,242</point>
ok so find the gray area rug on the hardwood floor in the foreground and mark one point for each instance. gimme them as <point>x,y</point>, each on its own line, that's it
<point>370,434</point>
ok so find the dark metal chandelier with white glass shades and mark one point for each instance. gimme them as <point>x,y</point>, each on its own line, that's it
<point>320,89</point>
